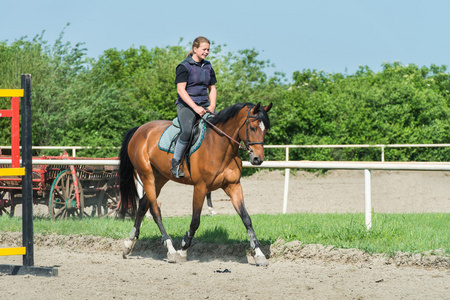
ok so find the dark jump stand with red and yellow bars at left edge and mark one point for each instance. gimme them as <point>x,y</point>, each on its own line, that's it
<point>27,185</point>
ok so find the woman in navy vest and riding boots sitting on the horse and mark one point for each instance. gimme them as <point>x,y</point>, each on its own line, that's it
<point>195,80</point>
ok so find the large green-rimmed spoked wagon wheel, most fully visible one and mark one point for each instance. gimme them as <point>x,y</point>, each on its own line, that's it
<point>63,197</point>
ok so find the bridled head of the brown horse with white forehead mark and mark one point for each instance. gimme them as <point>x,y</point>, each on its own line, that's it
<point>253,131</point>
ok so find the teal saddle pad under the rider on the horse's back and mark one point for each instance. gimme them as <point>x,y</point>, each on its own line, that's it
<point>166,141</point>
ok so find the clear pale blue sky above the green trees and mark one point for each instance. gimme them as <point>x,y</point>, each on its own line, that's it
<point>334,36</point>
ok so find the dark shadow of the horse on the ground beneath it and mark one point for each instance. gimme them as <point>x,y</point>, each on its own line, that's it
<point>207,246</point>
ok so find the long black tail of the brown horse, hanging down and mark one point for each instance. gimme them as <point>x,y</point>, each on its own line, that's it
<point>128,191</point>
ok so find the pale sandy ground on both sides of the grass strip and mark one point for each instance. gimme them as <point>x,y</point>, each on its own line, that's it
<point>93,268</point>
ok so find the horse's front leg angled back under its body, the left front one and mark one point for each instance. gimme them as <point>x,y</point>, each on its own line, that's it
<point>197,205</point>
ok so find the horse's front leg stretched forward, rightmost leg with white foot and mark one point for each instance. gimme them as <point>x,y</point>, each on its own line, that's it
<point>234,191</point>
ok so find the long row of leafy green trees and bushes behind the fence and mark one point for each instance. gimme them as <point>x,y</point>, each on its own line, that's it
<point>82,101</point>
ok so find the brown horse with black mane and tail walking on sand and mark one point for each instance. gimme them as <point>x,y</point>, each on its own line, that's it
<point>216,164</point>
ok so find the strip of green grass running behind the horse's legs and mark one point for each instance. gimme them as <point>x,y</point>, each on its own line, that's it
<point>390,233</point>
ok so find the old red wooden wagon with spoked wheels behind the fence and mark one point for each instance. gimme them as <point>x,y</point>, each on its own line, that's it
<point>67,190</point>
